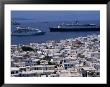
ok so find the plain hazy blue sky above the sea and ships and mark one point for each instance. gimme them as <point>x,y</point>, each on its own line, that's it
<point>56,15</point>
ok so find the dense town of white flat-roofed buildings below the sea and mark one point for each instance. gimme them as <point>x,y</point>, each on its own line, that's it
<point>73,57</point>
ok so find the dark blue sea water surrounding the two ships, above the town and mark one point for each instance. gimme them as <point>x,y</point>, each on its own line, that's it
<point>44,26</point>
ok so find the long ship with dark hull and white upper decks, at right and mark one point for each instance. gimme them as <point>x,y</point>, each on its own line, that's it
<point>75,27</point>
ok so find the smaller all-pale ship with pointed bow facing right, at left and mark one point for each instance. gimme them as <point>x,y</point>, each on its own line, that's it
<point>26,31</point>
